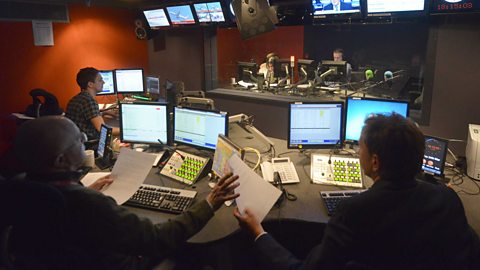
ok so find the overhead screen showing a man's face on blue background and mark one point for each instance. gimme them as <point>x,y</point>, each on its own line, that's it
<point>335,7</point>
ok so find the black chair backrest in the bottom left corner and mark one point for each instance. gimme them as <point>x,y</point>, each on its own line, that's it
<point>34,214</point>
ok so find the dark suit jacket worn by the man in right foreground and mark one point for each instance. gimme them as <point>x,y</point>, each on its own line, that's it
<point>413,225</point>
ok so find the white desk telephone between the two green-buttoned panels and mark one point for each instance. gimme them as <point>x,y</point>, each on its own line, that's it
<point>284,167</point>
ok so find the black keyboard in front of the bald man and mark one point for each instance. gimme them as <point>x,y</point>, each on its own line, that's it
<point>164,199</point>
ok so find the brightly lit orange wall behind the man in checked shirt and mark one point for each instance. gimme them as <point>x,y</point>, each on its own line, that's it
<point>100,37</point>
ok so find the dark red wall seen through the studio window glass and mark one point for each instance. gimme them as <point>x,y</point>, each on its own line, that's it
<point>284,41</point>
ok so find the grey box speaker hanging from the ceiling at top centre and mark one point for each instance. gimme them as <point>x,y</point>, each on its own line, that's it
<point>254,17</point>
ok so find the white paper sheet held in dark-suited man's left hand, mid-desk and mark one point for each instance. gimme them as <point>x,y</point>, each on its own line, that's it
<point>256,194</point>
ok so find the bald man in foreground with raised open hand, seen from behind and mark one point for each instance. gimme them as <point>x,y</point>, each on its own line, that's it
<point>108,235</point>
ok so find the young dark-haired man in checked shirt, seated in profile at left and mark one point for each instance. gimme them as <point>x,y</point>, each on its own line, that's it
<point>83,108</point>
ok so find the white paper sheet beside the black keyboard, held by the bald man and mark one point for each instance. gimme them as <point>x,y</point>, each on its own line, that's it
<point>130,171</point>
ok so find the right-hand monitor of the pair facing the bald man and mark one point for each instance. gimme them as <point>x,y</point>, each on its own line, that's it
<point>197,127</point>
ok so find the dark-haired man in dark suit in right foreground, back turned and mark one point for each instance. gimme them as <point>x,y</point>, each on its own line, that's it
<point>399,223</point>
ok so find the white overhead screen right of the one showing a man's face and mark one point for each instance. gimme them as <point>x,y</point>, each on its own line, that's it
<point>387,6</point>
